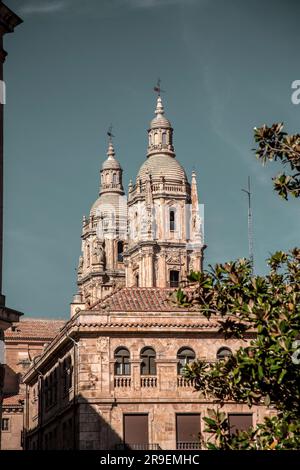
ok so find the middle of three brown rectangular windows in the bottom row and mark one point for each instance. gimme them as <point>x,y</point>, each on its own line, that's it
<point>187,431</point>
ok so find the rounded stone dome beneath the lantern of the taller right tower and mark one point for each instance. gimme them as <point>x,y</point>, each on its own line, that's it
<point>165,165</point>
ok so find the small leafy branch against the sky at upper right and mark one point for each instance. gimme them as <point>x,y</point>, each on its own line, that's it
<point>274,144</point>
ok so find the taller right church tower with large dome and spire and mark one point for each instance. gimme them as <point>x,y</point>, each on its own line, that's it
<point>165,230</point>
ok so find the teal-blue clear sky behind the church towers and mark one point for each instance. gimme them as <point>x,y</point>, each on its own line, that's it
<point>74,67</point>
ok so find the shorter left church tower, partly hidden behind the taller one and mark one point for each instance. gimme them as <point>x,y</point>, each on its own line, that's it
<point>101,267</point>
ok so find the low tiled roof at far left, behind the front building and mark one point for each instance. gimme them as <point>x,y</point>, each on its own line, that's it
<point>34,328</point>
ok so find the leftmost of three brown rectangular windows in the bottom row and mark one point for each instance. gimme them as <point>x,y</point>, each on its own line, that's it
<point>136,431</point>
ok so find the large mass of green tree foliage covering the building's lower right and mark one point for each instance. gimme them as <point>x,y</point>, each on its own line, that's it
<point>263,372</point>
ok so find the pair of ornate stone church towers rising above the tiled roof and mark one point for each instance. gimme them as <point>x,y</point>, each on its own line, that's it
<point>153,239</point>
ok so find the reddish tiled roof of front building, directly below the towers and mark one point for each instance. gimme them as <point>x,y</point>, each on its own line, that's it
<point>139,299</point>
